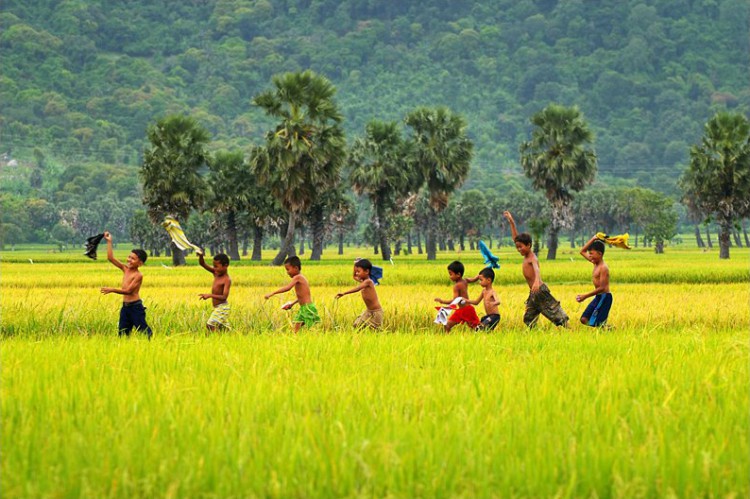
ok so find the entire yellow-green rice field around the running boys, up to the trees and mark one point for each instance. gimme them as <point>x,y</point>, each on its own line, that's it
<point>658,405</point>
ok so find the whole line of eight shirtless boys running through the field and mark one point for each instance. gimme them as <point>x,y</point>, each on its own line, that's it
<point>458,310</point>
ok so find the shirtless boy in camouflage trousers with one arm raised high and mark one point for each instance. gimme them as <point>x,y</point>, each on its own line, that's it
<point>540,300</point>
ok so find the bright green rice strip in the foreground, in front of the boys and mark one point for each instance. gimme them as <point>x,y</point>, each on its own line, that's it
<point>633,414</point>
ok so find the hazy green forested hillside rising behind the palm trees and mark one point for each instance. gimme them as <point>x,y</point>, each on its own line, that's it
<point>81,79</point>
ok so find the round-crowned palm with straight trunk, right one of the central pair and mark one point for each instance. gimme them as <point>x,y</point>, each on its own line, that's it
<point>441,155</point>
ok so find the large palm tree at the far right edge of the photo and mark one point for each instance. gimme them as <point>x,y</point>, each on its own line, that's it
<point>717,180</point>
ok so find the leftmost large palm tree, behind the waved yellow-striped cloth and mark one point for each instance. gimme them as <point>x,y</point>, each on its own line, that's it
<point>172,184</point>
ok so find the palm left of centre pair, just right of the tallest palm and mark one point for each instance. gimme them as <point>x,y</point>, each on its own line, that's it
<point>379,171</point>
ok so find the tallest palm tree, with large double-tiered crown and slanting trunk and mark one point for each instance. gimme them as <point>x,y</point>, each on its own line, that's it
<point>304,153</point>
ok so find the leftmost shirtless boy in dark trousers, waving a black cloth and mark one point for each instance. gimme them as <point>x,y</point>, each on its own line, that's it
<point>132,313</point>
